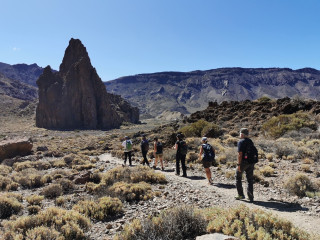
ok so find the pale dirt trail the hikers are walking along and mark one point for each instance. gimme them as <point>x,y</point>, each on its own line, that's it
<point>295,214</point>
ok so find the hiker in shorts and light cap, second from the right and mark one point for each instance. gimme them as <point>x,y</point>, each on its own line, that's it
<point>206,155</point>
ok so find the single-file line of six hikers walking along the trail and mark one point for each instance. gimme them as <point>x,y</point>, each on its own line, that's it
<point>247,157</point>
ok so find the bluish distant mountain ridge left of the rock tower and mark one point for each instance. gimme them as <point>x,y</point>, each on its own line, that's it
<point>23,72</point>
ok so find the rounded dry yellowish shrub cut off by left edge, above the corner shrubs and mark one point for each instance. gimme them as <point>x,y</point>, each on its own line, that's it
<point>9,206</point>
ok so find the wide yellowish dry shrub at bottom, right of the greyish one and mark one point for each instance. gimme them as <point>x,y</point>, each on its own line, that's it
<point>245,223</point>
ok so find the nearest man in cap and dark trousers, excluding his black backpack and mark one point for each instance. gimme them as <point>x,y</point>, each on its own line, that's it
<point>244,165</point>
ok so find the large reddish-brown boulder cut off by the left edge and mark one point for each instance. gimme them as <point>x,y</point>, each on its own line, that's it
<point>15,147</point>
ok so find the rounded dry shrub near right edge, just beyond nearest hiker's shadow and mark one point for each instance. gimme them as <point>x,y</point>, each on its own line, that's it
<point>299,185</point>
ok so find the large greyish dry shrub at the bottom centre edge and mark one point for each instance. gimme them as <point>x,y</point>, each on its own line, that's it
<point>178,223</point>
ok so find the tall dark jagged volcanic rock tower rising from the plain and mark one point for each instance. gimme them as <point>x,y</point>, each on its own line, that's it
<point>75,97</point>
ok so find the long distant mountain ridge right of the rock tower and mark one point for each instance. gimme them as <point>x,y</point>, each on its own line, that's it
<point>191,91</point>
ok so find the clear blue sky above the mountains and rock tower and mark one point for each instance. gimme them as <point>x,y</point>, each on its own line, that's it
<point>127,37</point>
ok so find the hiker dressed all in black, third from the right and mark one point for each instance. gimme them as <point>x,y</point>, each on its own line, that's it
<point>182,149</point>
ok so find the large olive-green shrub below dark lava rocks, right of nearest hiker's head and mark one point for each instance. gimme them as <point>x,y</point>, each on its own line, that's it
<point>277,126</point>
